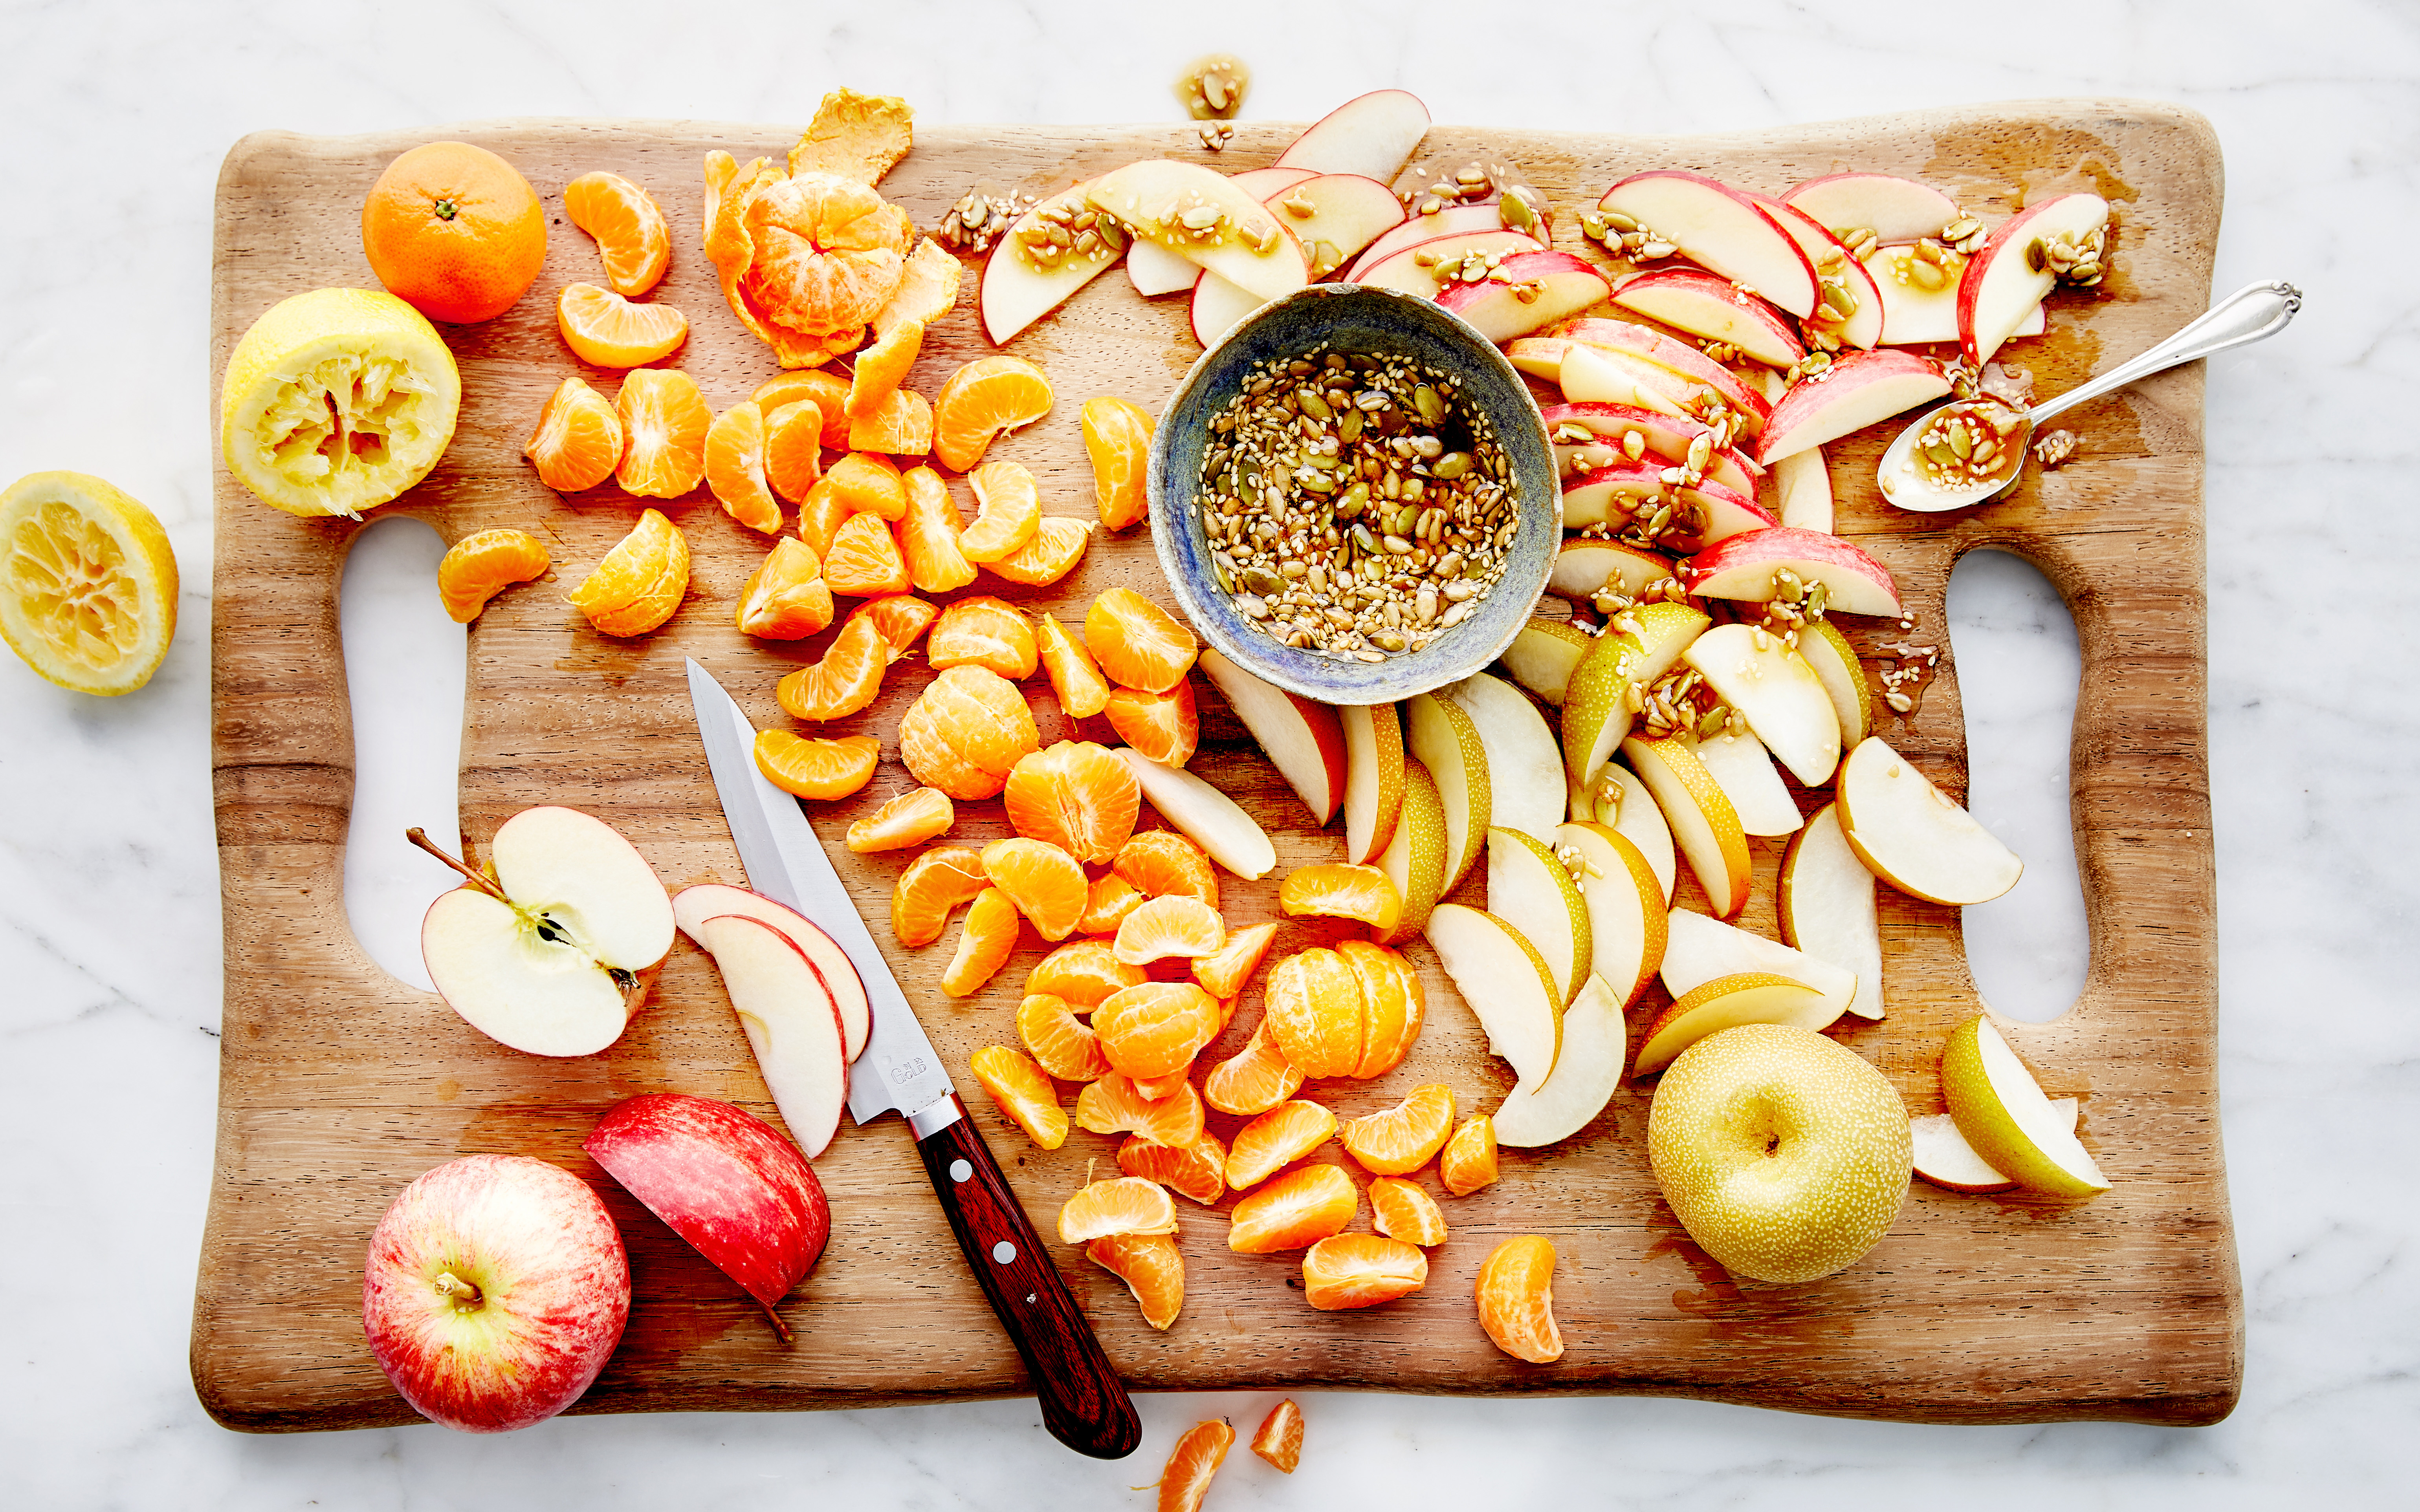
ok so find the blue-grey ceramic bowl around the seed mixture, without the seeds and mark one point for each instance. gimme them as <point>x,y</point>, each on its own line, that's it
<point>1381,323</point>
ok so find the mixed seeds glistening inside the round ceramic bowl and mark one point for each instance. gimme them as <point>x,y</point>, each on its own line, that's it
<point>1354,504</point>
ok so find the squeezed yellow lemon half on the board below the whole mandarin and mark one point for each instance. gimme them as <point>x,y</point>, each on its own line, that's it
<point>338,403</point>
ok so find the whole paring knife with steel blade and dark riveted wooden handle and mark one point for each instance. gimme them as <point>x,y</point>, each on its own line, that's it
<point>1085,1407</point>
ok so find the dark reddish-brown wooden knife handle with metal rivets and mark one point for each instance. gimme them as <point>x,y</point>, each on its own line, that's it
<point>1085,1404</point>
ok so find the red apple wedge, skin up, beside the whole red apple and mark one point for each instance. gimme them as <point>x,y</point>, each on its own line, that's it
<point>725,1182</point>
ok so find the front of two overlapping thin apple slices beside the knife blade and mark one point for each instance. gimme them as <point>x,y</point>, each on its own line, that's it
<point>793,1025</point>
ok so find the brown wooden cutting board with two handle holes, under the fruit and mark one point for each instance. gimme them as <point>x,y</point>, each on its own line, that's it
<point>340,1085</point>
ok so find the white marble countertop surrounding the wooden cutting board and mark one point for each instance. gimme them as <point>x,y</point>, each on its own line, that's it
<point>117,120</point>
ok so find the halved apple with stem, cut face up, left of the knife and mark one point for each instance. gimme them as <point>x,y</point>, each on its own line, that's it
<point>558,950</point>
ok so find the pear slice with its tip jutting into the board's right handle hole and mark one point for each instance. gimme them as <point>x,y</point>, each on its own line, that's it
<point>1911,836</point>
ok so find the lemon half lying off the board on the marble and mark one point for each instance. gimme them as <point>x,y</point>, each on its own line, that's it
<point>88,582</point>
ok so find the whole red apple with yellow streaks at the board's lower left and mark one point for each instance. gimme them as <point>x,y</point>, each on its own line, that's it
<point>495,1293</point>
